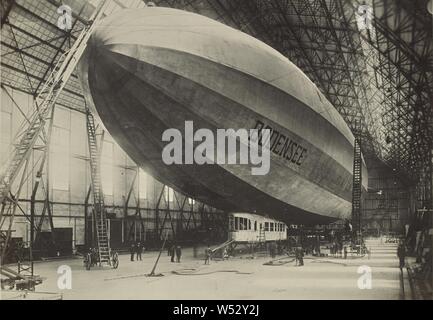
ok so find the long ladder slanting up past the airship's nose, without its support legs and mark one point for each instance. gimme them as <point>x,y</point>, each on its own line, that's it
<point>34,126</point>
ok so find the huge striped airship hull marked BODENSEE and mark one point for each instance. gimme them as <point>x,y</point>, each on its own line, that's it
<point>148,70</point>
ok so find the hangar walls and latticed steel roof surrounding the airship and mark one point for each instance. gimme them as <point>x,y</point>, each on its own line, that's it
<point>379,78</point>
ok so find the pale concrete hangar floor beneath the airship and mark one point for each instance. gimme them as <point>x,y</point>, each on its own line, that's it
<point>237,278</point>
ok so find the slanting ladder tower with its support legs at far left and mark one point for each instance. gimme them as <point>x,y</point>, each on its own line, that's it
<point>34,135</point>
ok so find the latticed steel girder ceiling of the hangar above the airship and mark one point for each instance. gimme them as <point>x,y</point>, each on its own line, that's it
<point>372,59</point>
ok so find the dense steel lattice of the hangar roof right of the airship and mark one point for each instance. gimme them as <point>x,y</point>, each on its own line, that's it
<point>317,34</point>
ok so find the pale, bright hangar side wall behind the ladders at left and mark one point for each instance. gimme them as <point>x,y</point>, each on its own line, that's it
<point>69,180</point>
